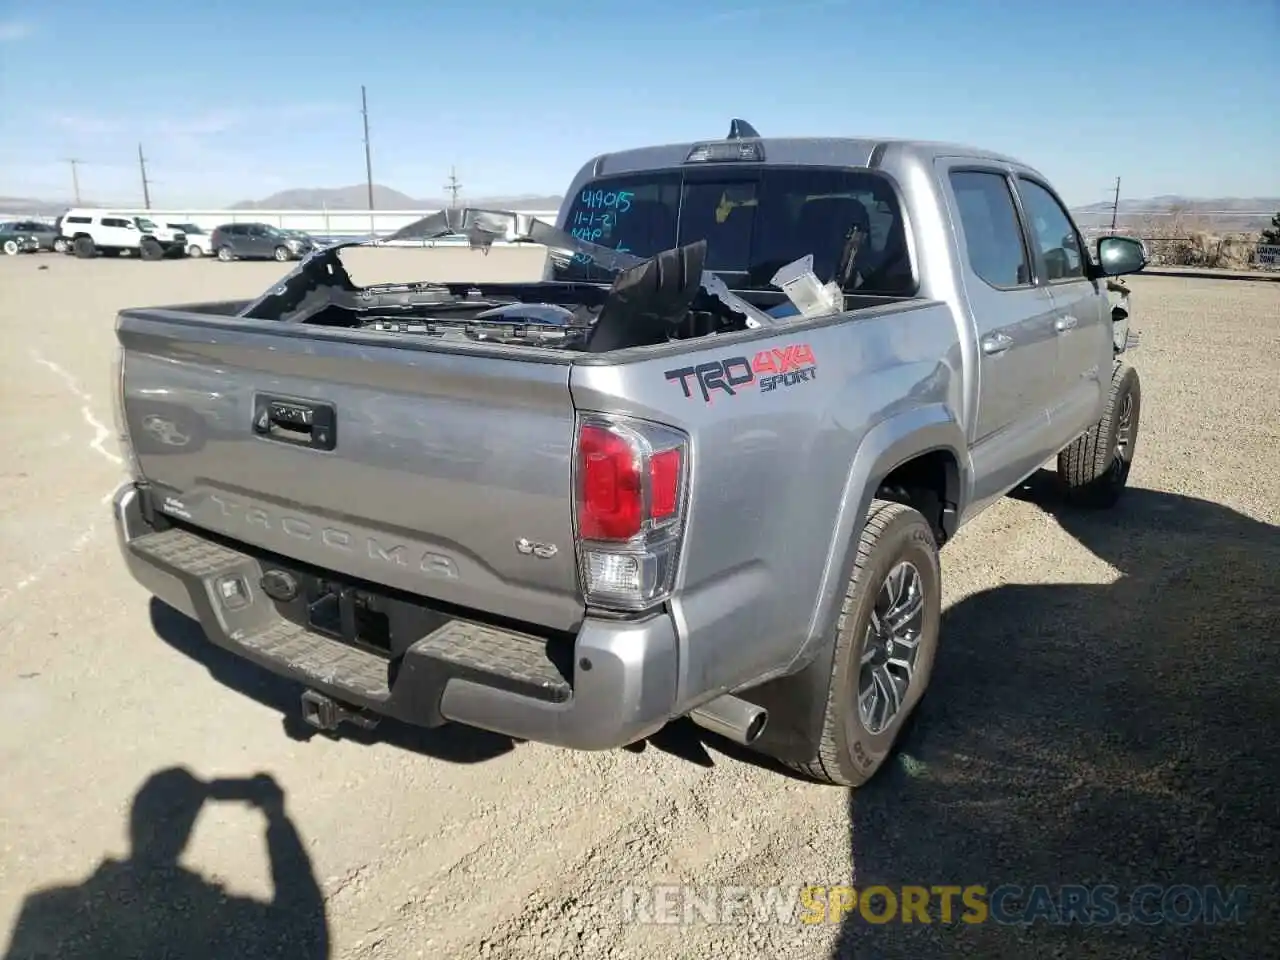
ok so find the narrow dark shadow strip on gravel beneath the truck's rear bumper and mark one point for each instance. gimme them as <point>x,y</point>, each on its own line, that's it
<point>452,743</point>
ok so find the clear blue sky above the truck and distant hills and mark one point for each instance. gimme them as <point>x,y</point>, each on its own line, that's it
<point>237,100</point>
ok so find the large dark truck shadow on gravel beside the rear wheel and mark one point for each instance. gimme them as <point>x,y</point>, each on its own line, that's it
<point>1073,734</point>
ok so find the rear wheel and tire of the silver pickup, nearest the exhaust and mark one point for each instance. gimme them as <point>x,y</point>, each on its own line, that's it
<point>851,749</point>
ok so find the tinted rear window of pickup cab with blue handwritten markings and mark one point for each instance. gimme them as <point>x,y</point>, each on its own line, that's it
<point>755,221</point>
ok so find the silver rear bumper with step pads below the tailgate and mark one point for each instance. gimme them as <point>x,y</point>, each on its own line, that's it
<point>621,689</point>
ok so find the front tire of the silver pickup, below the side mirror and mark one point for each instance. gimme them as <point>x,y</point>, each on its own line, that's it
<point>1095,469</point>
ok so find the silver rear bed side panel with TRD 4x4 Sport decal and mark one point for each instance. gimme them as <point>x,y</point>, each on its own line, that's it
<point>783,473</point>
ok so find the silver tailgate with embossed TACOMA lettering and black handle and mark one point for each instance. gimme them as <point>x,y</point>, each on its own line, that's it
<point>392,463</point>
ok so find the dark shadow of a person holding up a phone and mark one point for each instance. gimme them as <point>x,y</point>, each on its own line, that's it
<point>148,906</point>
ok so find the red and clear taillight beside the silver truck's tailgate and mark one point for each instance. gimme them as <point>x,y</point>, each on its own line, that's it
<point>630,479</point>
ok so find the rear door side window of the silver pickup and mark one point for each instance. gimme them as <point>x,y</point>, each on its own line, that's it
<point>993,236</point>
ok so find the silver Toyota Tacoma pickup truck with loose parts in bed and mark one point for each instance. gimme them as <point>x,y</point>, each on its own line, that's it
<point>703,469</point>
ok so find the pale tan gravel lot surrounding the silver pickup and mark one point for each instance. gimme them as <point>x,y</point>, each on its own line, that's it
<point>1105,710</point>
